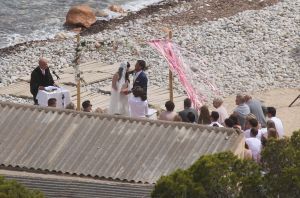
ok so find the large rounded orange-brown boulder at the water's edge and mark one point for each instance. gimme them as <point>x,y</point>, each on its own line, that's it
<point>81,15</point>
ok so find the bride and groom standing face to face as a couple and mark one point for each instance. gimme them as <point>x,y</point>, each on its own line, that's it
<point>121,88</point>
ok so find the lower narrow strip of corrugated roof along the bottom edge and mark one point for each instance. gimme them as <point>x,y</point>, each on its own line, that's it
<point>63,187</point>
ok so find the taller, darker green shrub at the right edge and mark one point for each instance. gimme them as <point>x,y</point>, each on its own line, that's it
<point>281,162</point>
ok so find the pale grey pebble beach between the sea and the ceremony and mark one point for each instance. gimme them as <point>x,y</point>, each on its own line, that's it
<point>248,46</point>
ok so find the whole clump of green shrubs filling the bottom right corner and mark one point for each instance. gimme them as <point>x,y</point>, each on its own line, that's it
<point>224,175</point>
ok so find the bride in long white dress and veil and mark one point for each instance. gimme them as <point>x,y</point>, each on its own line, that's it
<point>119,98</point>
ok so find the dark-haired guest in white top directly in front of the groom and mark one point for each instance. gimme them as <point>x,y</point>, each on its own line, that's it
<point>138,104</point>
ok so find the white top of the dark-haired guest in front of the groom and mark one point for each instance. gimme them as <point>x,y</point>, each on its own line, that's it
<point>137,107</point>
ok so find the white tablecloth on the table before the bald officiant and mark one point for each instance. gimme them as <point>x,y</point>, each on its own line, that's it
<point>62,96</point>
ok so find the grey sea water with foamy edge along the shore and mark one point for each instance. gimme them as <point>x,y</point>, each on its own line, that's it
<point>26,20</point>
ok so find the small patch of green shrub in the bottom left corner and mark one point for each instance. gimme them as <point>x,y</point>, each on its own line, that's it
<point>13,189</point>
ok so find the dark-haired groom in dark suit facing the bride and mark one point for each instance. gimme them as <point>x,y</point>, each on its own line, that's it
<point>140,79</point>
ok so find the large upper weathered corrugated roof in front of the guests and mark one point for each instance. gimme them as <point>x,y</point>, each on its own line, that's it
<point>104,146</point>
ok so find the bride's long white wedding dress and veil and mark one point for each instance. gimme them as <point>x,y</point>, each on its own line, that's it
<point>119,101</point>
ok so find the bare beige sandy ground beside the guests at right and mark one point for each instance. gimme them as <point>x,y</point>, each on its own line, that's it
<point>280,99</point>
